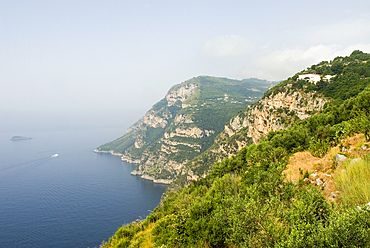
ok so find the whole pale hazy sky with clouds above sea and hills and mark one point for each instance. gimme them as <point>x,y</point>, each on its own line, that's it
<point>101,58</point>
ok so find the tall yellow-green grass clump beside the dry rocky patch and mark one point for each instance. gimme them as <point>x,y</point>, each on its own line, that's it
<point>353,182</point>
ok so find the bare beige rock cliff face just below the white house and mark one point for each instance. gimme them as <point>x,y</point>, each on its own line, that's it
<point>273,112</point>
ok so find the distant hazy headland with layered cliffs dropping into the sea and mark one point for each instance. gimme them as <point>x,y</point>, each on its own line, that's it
<point>183,125</point>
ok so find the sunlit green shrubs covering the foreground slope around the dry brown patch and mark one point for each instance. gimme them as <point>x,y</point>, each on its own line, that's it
<point>246,200</point>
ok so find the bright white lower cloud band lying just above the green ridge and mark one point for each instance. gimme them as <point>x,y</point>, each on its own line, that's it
<point>282,64</point>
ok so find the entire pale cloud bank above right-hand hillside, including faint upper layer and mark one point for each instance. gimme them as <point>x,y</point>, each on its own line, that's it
<point>315,44</point>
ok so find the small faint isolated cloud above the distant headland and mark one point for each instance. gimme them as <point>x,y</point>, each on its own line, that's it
<point>229,45</point>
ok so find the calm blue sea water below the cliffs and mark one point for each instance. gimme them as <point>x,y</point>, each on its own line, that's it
<point>77,199</point>
